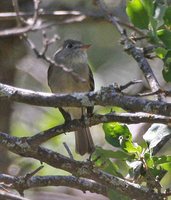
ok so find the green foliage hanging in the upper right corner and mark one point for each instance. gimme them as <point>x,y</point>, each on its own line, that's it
<point>154,17</point>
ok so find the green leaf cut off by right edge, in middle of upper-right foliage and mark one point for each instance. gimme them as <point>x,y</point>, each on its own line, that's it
<point>165,36</point>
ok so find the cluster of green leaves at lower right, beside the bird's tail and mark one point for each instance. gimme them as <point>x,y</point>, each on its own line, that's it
<point>142,165</point>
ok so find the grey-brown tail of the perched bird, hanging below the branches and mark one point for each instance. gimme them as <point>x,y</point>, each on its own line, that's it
<point>83,141</point>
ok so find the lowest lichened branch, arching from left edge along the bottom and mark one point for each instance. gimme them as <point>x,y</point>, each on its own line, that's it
<point>43,181</point>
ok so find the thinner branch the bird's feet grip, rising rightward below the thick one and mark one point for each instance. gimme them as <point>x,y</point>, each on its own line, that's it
<point>73,125</point>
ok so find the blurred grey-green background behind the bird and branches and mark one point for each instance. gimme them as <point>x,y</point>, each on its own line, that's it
<point>20,67</point>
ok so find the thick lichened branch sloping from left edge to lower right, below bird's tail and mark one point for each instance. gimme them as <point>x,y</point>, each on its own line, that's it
<point>77,168</point>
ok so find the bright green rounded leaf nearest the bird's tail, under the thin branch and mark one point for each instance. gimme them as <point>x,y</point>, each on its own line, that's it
<point>113,132</point>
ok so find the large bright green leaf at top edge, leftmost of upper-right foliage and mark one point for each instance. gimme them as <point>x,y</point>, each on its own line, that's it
<point>138,14</point>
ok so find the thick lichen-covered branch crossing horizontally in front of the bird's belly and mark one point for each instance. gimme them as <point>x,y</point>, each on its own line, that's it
<point>107,96</point>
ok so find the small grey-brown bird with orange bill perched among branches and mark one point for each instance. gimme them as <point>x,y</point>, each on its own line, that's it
<point>73,56</point>
